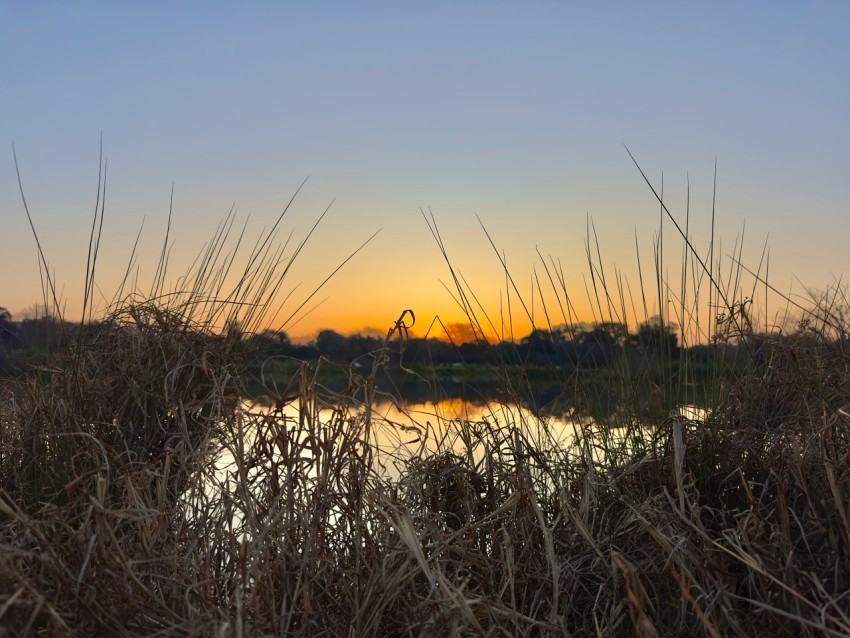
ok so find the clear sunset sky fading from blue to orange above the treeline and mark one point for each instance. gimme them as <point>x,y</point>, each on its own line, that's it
<point>509,117</point>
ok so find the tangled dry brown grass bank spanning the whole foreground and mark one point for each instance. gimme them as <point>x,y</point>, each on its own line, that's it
<point>139,498</point>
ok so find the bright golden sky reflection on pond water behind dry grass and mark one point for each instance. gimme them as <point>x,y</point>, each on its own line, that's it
<point>275,454</point>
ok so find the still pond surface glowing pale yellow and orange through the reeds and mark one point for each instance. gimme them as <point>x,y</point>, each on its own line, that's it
<point>401,434</point>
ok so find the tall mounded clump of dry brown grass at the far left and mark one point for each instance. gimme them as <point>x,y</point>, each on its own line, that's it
<point>96,453</point>
